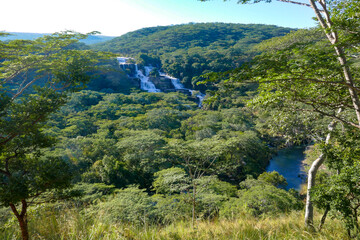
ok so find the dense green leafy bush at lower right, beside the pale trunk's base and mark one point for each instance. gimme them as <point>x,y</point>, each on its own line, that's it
<point>339,191</point>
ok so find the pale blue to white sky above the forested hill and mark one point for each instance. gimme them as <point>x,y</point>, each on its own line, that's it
<point>117,17</point>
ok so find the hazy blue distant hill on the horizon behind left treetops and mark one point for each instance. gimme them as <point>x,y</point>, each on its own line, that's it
<point>32,36</point>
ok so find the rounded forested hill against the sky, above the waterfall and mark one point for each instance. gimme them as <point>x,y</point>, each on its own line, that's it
<point>191,50</point>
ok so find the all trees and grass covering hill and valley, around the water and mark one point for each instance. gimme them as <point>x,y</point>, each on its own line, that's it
<point>86,154</point>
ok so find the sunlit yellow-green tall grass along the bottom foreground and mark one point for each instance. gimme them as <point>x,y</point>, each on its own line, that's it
<point>71,224</point>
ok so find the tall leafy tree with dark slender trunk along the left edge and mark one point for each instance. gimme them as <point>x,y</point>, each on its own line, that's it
<point>34,79</point>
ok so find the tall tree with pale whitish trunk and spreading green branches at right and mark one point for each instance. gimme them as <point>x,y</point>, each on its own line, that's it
<point>321,76</point>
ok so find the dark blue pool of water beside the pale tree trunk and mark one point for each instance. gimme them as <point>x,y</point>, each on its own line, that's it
<point>288,162</point>
